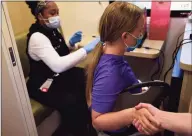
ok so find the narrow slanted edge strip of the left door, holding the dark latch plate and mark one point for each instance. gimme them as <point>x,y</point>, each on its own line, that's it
<point>16,72</point>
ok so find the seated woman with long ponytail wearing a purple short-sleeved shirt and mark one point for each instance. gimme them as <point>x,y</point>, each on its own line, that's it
<point>121,26</point>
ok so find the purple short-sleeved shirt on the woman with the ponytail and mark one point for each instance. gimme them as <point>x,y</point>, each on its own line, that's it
<point>108,84</point>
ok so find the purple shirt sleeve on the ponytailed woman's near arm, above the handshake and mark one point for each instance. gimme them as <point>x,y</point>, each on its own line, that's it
<point>106,88</point>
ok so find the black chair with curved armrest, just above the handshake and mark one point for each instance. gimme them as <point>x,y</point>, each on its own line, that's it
<point>158,94</point>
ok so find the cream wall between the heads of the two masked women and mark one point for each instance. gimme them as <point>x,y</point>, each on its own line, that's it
<point>82,16</point>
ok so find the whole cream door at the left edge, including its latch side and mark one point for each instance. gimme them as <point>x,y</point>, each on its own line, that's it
<point>17,116</point>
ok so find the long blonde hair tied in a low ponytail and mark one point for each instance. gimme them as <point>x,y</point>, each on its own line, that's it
<point>117,18</point>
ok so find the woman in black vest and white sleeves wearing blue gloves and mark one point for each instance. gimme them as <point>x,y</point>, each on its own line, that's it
<point>53,79</point>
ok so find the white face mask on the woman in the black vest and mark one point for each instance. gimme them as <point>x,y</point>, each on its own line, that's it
<point>54,22</point>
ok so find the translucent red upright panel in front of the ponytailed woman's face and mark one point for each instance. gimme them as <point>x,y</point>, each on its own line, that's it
<point>159,23</point>
